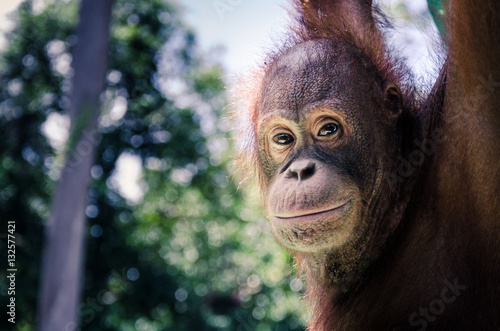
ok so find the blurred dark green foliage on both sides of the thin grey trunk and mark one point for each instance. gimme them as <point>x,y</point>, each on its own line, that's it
<point>189,251</point>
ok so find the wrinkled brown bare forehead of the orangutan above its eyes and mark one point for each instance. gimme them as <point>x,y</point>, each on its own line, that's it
<point>314,72</point>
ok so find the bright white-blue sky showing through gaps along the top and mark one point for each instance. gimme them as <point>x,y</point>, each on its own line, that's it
<point>244,28</point>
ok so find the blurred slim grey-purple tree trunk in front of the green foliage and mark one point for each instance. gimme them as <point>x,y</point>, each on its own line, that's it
<point>62,271</point>
